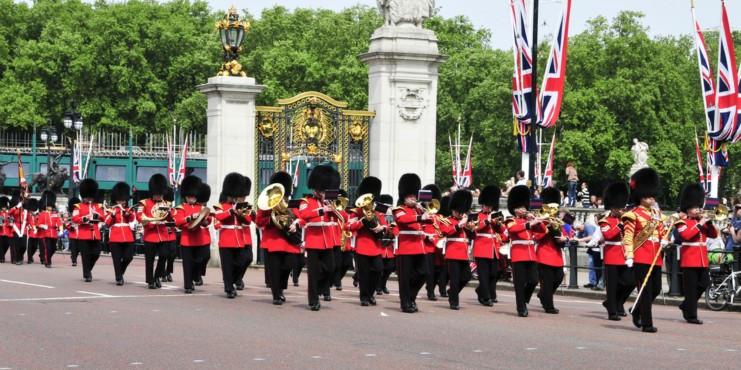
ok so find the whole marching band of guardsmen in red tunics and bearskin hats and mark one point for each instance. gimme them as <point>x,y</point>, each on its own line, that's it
<point>428,239</point>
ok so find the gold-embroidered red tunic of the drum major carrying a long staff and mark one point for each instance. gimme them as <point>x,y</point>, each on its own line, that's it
<point>635,221</point>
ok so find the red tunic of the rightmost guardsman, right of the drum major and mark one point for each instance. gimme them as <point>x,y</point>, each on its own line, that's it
<point>694,250</point>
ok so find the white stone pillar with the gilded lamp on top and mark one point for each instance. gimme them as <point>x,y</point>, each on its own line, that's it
<point>231,133</point>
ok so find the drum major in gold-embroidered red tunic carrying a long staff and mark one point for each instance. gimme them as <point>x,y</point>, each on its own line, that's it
<point>643,239</point>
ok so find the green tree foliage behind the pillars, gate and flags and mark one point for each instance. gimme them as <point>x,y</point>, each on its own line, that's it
<point>134,66</point>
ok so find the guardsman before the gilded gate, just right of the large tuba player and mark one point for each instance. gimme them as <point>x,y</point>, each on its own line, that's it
<point>320,232</point>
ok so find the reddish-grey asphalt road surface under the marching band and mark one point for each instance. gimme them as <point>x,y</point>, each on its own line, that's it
<point>51,319</point>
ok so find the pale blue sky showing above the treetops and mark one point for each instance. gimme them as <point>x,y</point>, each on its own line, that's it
<point>664,17</point>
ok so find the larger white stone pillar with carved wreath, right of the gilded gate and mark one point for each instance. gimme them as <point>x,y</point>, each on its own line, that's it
<point>402,90</point>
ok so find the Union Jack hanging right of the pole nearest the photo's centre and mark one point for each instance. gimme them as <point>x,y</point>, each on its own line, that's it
<point>551,95</point>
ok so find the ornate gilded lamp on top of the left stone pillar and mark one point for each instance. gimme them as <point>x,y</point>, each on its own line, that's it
<point>231,31</point>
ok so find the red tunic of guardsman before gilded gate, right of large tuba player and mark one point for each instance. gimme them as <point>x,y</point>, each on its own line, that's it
<point>320,230</point>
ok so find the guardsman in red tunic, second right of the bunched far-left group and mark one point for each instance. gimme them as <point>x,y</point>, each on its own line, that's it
<point>120,220</point>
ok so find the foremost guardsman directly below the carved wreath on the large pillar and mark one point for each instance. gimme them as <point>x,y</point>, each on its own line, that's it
<point>410,218</point>
